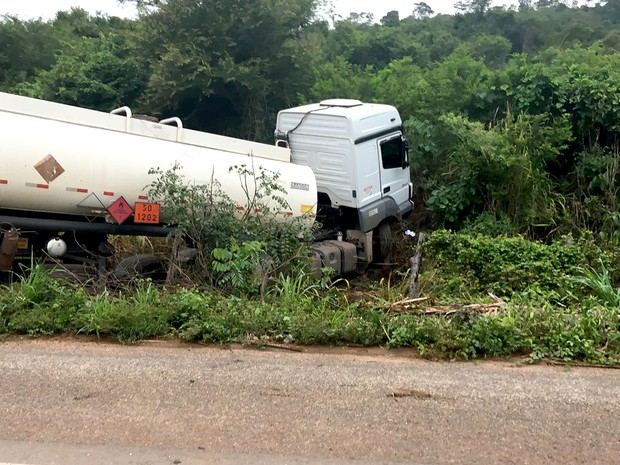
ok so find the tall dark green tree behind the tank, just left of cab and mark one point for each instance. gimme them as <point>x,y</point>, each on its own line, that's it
<point>226,66</point>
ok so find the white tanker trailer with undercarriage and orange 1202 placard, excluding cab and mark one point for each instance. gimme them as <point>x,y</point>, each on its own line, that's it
<point>69,177</point>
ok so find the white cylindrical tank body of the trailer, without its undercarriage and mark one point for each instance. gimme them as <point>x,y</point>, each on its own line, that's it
<point>56,164</point>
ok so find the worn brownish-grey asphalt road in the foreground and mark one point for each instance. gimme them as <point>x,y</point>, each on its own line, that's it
<point>87,403</point>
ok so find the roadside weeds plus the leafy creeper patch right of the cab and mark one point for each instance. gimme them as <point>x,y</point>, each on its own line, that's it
<point>581,323</point>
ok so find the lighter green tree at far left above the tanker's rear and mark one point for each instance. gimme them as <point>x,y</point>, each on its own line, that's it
<point>91,61</point>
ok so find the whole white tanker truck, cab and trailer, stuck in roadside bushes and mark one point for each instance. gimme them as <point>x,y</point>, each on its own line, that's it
<point>69,177</point>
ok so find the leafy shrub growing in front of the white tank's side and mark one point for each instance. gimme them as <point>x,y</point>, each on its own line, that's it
<point>236,251</point>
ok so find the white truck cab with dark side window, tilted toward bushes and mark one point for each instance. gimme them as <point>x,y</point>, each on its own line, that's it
<point>359,155</point>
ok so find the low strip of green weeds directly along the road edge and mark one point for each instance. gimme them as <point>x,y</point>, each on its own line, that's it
<point>308,313</point>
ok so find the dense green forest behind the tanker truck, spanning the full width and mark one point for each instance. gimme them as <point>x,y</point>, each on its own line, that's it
<point>512,114</point>
